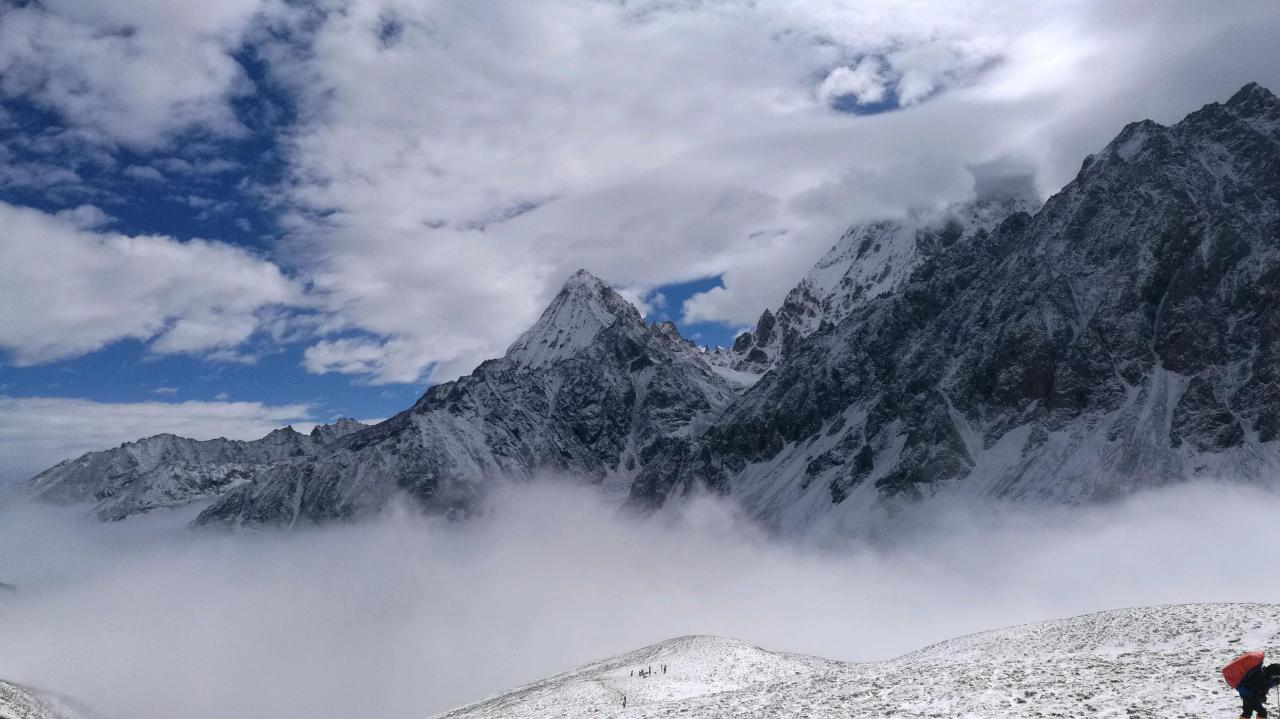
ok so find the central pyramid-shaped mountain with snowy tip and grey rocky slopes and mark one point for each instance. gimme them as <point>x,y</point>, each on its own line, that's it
<point>591,391</point>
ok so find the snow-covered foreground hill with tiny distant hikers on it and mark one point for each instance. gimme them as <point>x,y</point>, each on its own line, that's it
<point>1155,662</point>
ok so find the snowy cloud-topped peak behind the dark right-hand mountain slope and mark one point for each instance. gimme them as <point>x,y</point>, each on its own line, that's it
<point>870,260</point>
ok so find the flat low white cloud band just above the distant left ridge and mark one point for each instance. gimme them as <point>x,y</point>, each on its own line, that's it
<point>38,432</point>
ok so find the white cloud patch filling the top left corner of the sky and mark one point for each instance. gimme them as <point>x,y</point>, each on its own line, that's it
<point>129,72</point>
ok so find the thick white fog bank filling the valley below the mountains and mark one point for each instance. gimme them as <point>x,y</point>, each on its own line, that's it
<point>405,617</point>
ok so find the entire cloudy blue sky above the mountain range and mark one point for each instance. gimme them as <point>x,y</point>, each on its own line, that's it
<point>225,218</point>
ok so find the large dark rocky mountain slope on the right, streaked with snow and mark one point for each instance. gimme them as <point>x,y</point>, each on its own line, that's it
<point>1126,336</point>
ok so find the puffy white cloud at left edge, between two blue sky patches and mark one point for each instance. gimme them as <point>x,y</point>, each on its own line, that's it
<point>66,291</point>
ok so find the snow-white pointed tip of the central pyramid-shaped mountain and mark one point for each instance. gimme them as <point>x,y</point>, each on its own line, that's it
<point>584,306</point>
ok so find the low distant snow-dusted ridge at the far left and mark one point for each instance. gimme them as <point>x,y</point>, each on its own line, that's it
<point>170,471</point>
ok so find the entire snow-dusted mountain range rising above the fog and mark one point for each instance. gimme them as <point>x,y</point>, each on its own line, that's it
<point>1124,336</point>
